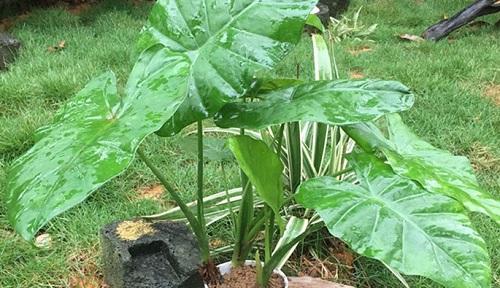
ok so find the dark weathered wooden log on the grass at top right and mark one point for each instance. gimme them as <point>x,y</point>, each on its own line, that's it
<point>445,27</point>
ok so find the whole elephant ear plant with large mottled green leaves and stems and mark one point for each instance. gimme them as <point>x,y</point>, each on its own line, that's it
<point>199,60</point>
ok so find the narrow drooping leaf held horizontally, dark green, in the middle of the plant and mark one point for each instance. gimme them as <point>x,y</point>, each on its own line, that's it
<point>331,102</point>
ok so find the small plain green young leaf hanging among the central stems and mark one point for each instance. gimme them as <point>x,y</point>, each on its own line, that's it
<point>262,166</point>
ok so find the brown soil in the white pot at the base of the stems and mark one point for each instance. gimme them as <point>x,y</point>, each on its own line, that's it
<point>245,277</point>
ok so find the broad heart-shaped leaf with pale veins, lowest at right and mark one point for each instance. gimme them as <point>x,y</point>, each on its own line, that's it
<point>393,219</point>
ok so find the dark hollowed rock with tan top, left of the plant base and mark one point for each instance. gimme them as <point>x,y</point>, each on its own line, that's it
<point>138,254</point>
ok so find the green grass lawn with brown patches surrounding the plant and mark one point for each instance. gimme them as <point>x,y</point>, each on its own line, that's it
<point>455,83</point>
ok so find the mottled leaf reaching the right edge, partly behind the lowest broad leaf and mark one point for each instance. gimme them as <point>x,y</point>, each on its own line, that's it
<point>437,170</point>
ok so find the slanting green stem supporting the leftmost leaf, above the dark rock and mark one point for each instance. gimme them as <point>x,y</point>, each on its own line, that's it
<point>195,225</point>
